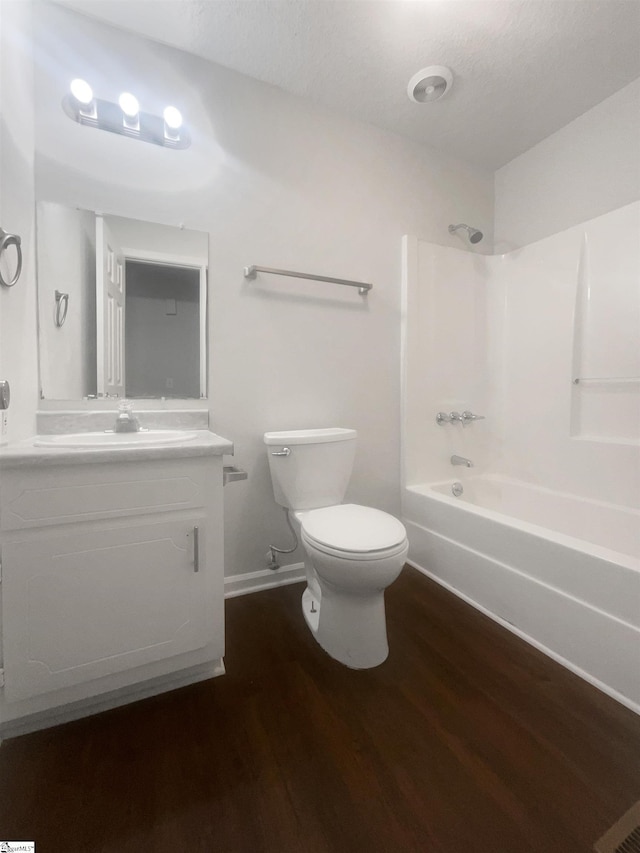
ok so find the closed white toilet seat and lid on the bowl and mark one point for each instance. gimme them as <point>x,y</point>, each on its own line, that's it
<point>353,532</point>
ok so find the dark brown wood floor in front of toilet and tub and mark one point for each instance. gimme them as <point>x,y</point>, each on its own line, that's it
<point>466,740</point>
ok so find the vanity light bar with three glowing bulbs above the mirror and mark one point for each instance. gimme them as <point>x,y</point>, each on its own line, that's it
<point>125,117</point>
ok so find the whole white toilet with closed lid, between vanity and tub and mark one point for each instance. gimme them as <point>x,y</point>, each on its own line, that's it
<point>353,553</point>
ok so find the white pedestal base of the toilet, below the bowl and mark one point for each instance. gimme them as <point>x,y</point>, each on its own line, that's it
<point>351,629</point>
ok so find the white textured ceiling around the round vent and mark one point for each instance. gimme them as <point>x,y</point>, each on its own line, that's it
<point>522,68</point>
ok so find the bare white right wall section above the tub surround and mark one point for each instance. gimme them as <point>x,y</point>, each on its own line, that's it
<point>587,168</point>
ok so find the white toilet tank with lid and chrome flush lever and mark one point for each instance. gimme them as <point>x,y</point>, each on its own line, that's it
<point>317,470</point>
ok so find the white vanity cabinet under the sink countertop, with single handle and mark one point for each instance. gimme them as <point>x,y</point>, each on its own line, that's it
<point>112,580</point>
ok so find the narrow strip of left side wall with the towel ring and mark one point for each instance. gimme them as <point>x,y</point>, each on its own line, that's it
<point>18,324</point>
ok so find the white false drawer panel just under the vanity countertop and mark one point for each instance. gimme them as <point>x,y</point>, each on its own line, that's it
<point>61,494</point>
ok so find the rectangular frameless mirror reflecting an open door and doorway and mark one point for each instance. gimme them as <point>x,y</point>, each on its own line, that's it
<point>122,306</point>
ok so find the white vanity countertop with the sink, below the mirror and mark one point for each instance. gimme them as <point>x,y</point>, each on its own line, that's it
<point>25,453</point>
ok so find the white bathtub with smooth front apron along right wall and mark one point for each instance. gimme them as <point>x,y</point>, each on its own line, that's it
<point>561,571</point>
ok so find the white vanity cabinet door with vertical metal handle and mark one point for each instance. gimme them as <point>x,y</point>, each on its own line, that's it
<point>82,604</point>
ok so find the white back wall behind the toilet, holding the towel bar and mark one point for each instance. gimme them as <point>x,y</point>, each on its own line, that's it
<point>278,182</point>
